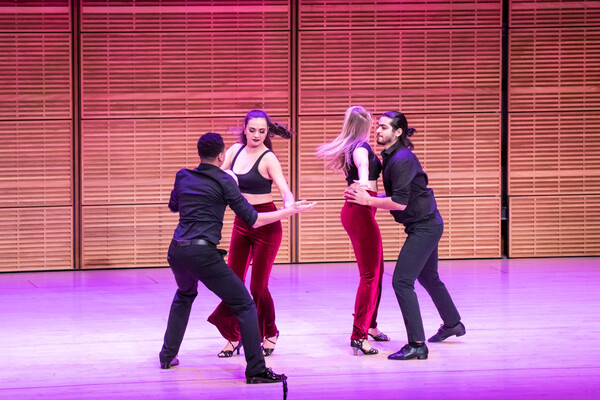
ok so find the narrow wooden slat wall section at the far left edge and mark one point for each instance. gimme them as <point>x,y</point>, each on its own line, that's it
<point>35,136</point>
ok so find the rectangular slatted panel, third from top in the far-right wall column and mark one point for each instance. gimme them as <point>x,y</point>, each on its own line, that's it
<point>554,154</point>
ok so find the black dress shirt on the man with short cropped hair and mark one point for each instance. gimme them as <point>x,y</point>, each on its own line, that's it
<point>200,196</point>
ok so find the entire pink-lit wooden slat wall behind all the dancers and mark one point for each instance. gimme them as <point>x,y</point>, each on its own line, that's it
<point>157,74</point>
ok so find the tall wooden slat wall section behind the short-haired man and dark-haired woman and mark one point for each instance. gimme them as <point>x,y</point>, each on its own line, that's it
<point>155,76</point>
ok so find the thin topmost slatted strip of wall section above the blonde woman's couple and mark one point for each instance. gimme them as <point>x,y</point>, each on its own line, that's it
<point>406,14</point>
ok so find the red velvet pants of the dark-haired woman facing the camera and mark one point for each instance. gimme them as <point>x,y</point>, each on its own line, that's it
<point>260,247</point>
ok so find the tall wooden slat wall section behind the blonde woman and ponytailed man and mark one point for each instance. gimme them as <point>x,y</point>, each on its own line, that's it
<point>440,64</point>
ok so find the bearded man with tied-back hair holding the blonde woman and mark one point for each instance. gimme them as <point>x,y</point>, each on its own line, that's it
<point>413,205</point>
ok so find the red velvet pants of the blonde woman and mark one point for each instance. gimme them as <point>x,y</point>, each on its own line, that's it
<point>359,221</point>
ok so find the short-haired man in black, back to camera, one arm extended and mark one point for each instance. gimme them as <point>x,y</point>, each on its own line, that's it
<point>200,196</point>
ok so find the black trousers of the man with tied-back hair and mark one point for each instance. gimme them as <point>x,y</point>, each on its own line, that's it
<point>418,259</point>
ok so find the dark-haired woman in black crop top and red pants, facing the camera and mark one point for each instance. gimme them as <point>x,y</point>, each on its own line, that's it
<point>255,167</point>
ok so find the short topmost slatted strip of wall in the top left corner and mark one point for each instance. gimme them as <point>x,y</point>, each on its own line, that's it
<point>35,16</point>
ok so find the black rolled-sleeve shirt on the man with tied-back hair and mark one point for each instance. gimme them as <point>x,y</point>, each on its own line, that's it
<point>406,183</point>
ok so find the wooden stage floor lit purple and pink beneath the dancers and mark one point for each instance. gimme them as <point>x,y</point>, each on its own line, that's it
<point>533,332</point>
